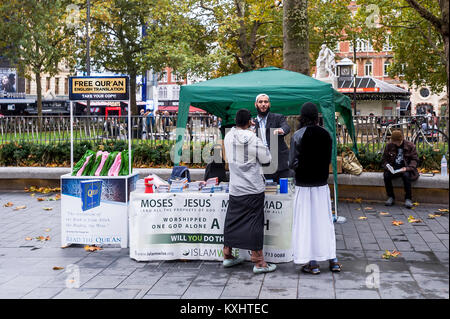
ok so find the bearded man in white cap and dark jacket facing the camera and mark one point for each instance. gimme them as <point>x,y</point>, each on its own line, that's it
<point>266,125</point>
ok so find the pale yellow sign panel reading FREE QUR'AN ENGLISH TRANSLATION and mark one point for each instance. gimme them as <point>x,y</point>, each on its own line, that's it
<point>109,85</point>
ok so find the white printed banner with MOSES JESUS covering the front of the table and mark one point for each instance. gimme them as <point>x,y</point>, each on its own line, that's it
<point>168,226</point>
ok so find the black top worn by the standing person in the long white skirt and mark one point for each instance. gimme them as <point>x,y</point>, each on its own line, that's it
<point>310,156</point>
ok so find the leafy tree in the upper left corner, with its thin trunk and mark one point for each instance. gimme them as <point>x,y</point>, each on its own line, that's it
<point>35,37</point>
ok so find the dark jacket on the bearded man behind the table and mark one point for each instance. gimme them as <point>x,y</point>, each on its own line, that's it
<point>274,121</point>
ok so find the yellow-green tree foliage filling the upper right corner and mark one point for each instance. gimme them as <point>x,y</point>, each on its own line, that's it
<point>419,51</point>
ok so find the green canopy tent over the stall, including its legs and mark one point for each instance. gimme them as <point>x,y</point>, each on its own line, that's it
<point>287,90</point>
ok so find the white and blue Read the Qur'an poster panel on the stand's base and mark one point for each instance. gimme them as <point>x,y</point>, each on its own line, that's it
<point>94,210</point>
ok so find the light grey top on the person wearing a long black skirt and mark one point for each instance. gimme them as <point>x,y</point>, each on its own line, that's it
<point>245,153</point>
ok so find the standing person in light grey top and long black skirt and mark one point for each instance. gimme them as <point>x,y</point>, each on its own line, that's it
<point>244,221</point>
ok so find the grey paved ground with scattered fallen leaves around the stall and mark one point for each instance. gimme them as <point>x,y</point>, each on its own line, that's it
<point>422,271</point>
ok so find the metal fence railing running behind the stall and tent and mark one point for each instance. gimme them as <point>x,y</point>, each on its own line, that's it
<point>372,132</point>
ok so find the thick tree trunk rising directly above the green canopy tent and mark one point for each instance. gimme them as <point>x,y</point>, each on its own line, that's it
<point>295,36</point>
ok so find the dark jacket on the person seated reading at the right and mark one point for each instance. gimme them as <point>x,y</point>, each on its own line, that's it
<point>409,156</point>
